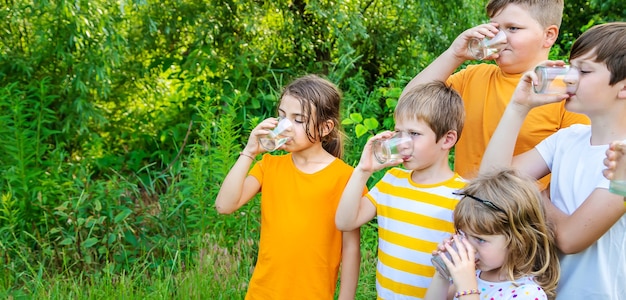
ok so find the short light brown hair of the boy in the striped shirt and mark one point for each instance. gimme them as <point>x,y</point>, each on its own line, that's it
<point>435,103</point>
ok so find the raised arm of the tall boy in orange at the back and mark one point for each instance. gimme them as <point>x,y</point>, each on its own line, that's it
<point>442,67</point>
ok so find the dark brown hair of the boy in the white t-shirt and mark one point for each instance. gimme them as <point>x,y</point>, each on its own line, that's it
<point>609,43</point>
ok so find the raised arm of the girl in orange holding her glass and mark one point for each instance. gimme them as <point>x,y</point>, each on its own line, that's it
<point>238,188</point>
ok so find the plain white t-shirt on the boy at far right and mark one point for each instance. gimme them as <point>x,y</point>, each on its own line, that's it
<point>598,272</point>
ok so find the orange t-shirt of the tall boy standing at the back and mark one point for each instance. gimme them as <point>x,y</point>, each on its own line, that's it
<point>486,91</point>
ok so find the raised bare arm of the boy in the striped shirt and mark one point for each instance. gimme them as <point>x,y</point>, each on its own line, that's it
<point>354,209</point>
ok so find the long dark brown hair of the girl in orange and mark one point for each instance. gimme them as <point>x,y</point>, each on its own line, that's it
<point>320,97</point>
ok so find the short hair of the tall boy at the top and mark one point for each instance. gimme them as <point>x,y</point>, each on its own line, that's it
<point>546,12</point>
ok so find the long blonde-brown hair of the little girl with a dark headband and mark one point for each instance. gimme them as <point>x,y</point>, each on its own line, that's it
<point>530,239</point>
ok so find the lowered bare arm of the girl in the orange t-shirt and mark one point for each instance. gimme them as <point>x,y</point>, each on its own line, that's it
<point>350,263</point>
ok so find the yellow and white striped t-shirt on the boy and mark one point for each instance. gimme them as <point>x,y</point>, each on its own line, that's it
<point>412,220</point>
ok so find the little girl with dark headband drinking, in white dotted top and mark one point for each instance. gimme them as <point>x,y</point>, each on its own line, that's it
<point>504,247</point>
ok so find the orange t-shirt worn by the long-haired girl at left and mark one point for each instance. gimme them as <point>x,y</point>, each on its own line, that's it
<point>300,247</point>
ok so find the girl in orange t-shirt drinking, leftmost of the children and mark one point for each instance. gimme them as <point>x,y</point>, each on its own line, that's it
<point>300,250</point>
